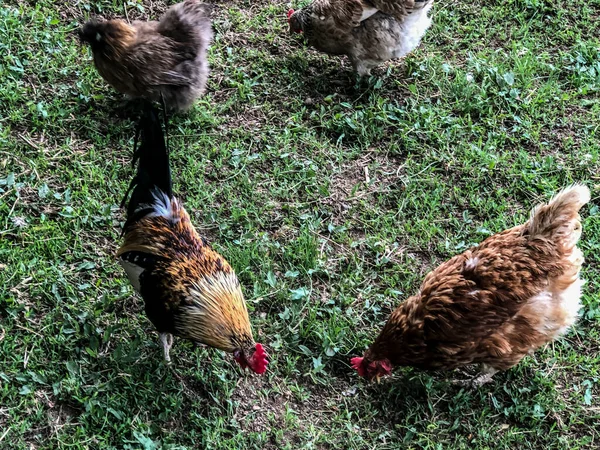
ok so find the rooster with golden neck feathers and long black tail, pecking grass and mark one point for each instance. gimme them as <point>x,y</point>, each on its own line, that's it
<point>189,290</point>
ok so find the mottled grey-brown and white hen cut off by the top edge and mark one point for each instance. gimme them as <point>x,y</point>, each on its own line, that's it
<point>369,32</point>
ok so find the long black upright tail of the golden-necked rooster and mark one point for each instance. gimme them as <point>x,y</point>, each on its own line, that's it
<point>153,176</point>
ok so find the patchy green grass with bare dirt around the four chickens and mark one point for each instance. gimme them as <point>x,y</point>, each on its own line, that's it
<point>497,110</point>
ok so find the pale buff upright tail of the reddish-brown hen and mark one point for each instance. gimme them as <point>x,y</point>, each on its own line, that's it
<point>559,219</point>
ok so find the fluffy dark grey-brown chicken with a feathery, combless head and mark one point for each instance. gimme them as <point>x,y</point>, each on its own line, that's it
<point>162,60</point>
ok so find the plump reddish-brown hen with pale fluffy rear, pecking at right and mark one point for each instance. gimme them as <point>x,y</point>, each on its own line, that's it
<point>494,304</point>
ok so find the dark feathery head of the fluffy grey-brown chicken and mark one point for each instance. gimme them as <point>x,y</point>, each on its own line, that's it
<point>103,35</point>
